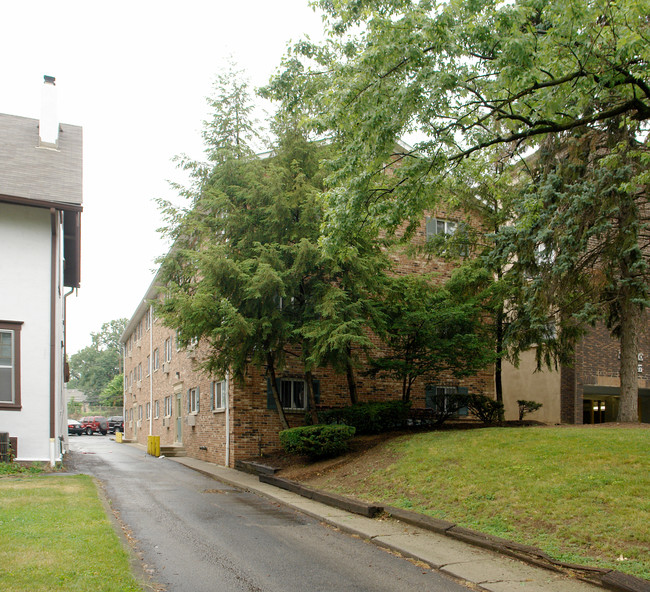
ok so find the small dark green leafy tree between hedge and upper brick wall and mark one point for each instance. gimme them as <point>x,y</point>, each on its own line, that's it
<point>429,330</point>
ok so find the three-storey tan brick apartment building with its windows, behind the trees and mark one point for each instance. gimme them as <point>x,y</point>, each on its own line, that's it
<point>218,420</point>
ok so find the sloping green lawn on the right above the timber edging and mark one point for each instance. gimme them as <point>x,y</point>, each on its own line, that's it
<point>580,494</point>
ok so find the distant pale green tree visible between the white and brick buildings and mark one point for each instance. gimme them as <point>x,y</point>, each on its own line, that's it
<point>93,367</point>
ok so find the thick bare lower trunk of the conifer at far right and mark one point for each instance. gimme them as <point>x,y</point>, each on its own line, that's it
<point>628,409</point>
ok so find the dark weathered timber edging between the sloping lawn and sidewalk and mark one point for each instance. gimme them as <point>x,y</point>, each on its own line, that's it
<point>611,579</point>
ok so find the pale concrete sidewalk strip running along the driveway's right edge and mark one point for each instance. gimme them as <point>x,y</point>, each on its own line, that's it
<point>485,569</point>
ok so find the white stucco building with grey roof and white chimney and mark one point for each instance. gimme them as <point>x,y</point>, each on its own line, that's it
<point>40,209</point>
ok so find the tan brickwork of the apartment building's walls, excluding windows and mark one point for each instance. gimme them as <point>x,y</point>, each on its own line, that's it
<point>253,427</point>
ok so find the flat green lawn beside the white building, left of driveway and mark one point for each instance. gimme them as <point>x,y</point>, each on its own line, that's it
<point>56,536</point>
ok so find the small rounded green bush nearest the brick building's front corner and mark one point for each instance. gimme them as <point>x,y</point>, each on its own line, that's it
<point>318,441</point>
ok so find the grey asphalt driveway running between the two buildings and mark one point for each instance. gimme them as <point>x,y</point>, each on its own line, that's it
<point>199,534</point>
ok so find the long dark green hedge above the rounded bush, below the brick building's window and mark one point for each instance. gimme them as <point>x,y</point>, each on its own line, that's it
<point>369,418</point>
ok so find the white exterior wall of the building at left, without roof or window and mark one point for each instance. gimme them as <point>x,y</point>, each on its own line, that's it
<point>25,288</point>
